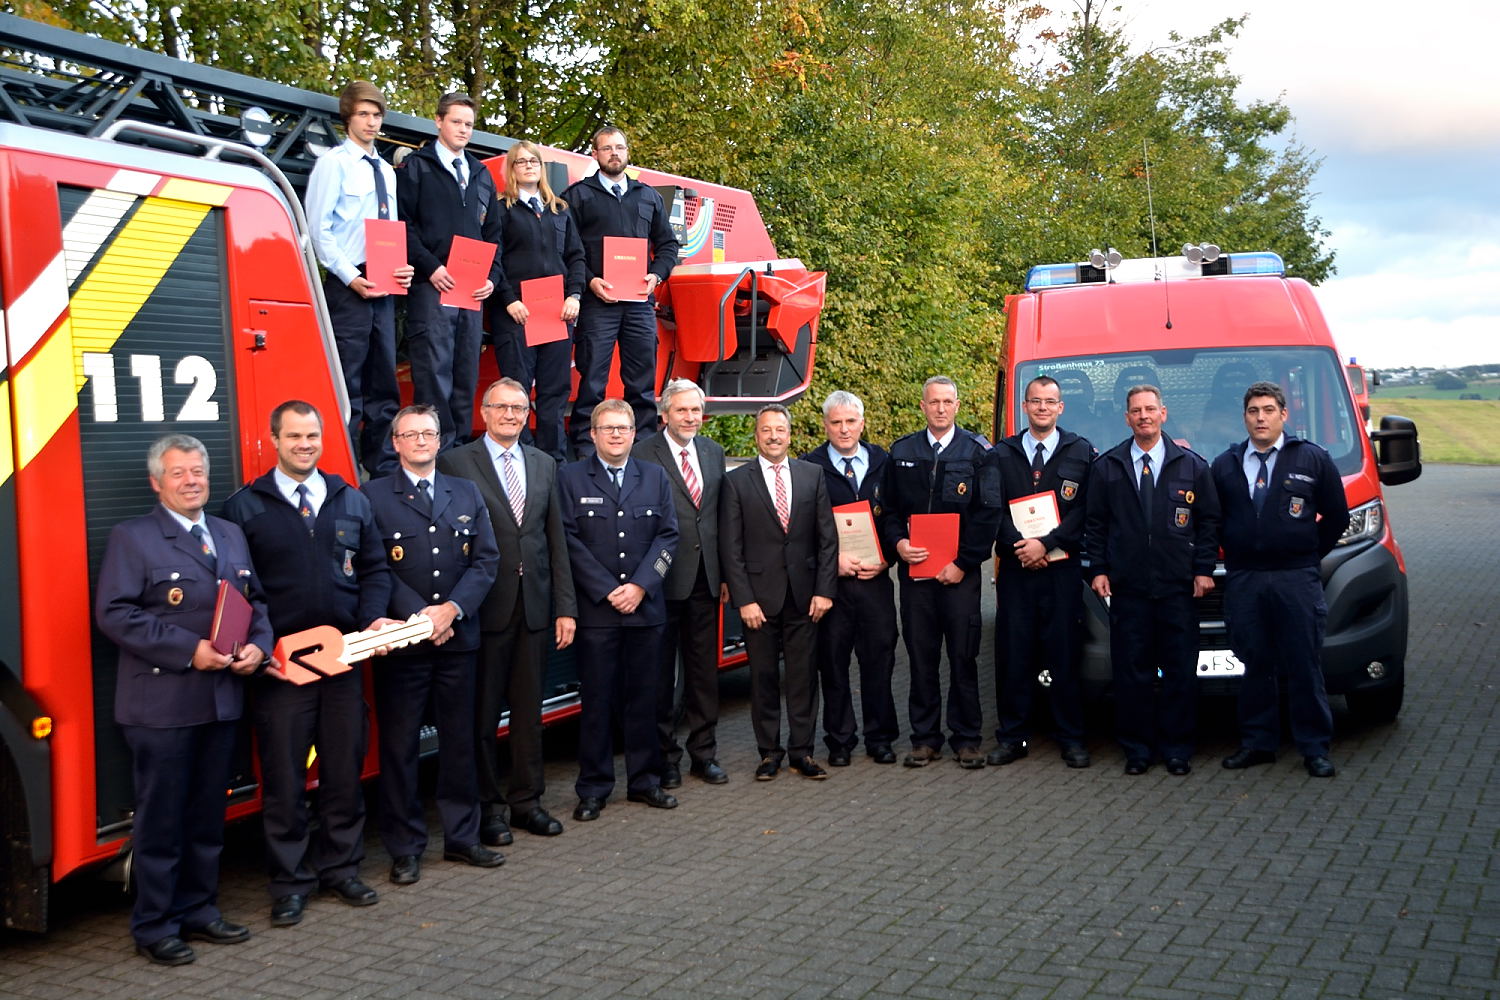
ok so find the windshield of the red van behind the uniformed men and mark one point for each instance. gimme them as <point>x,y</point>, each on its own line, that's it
<point>1204,392</point>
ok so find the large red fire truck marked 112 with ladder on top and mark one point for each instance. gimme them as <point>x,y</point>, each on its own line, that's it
<point>157,275</point>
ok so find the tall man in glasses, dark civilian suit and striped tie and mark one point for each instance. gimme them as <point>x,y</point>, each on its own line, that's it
<point>529,609</point>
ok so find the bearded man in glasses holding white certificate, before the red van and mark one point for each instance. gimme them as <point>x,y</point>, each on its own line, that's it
<point>1039,581</point>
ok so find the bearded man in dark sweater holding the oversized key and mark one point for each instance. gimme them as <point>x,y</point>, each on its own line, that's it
<point>320,560</point>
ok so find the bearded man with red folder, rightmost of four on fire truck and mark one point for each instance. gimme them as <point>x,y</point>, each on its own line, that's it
<point>611,203</point>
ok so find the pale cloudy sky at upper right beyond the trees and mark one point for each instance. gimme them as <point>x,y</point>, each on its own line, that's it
<point>1403,110</point>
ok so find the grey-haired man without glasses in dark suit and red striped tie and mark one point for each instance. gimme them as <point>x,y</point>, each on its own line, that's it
<point>695,466</point>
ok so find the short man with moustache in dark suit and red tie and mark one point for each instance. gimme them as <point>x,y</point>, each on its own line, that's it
<point>779,548</point>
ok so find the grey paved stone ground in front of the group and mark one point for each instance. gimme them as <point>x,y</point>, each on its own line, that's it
<point>1031,881</point>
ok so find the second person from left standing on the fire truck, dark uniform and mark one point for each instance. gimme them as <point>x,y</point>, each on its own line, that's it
<point>445,191</point>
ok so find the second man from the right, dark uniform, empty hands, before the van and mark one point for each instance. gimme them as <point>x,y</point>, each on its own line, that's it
<point>1153,540</point>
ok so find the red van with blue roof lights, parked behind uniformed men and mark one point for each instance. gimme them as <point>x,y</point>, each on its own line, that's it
<point>1204,328</point>
